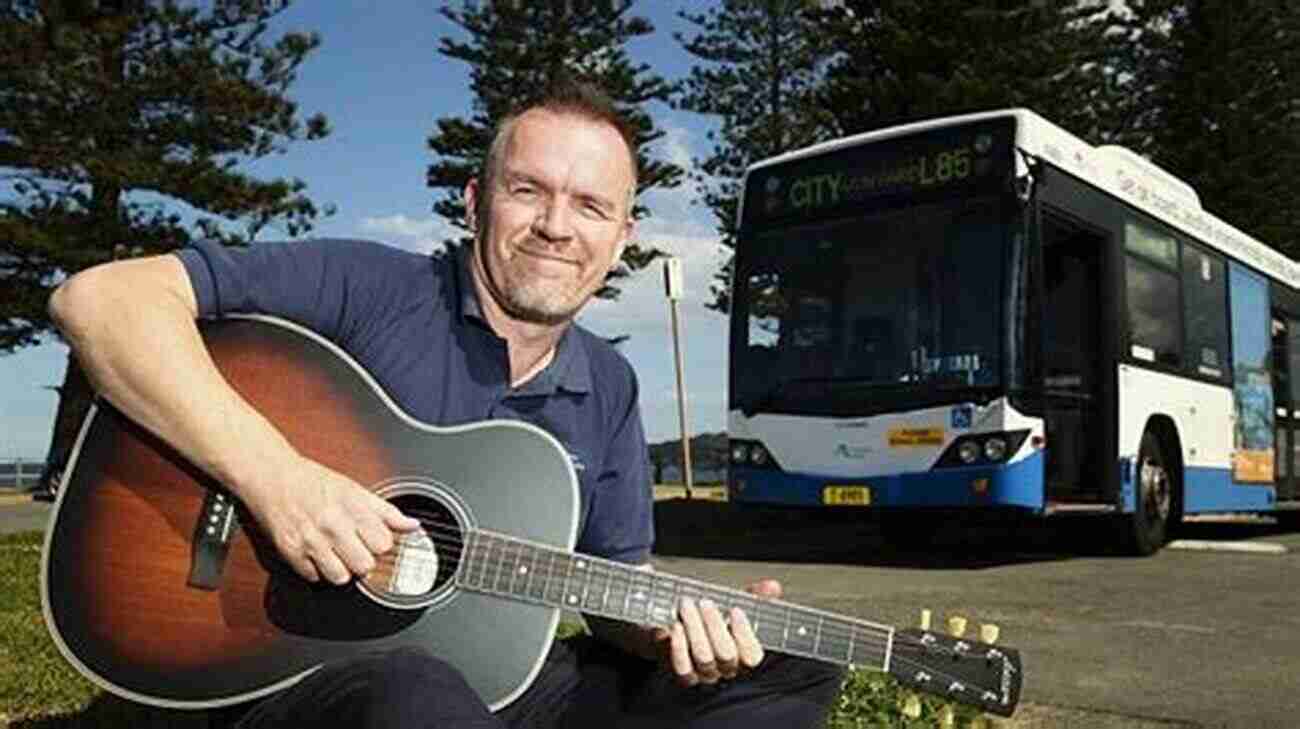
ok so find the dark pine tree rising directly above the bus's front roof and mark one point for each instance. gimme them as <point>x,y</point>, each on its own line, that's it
<point>909,60</point>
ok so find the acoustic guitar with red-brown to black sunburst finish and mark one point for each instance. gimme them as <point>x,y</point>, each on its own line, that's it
<point>159,588</point>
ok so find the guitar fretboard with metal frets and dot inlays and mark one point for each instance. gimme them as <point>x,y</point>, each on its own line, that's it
<point>536,574</point>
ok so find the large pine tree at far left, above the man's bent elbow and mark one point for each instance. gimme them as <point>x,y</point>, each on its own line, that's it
<point>111,114</point>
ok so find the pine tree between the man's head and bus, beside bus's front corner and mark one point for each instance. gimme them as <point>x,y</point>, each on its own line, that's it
<point>759,75</point>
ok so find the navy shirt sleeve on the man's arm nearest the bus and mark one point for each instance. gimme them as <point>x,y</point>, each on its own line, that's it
<point>621,524</point>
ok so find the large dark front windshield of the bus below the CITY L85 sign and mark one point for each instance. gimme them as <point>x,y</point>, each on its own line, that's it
<point>852,316</point>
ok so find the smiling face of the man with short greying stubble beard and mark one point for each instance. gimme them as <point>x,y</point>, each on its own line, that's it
<point>557,215</point>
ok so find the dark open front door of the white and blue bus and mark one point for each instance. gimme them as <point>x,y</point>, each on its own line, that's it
<point>1072,370</point>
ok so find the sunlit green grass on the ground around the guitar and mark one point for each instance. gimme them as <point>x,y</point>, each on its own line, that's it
<point>40,691</point>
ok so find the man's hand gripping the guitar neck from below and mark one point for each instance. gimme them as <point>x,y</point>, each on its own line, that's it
<point>703,648</point>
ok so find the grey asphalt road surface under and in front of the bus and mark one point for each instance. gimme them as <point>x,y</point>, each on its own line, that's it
<point>1188,639</point>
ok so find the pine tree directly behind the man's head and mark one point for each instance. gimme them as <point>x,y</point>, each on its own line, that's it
<point>514,51</point>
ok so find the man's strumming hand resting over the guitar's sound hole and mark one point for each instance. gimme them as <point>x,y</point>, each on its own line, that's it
<point>323,523</point>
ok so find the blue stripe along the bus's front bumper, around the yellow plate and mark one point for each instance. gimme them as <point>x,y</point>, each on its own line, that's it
<point>1016,485</point>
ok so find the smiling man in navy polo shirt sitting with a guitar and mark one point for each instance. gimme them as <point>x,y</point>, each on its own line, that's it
<point>484,333</point>
